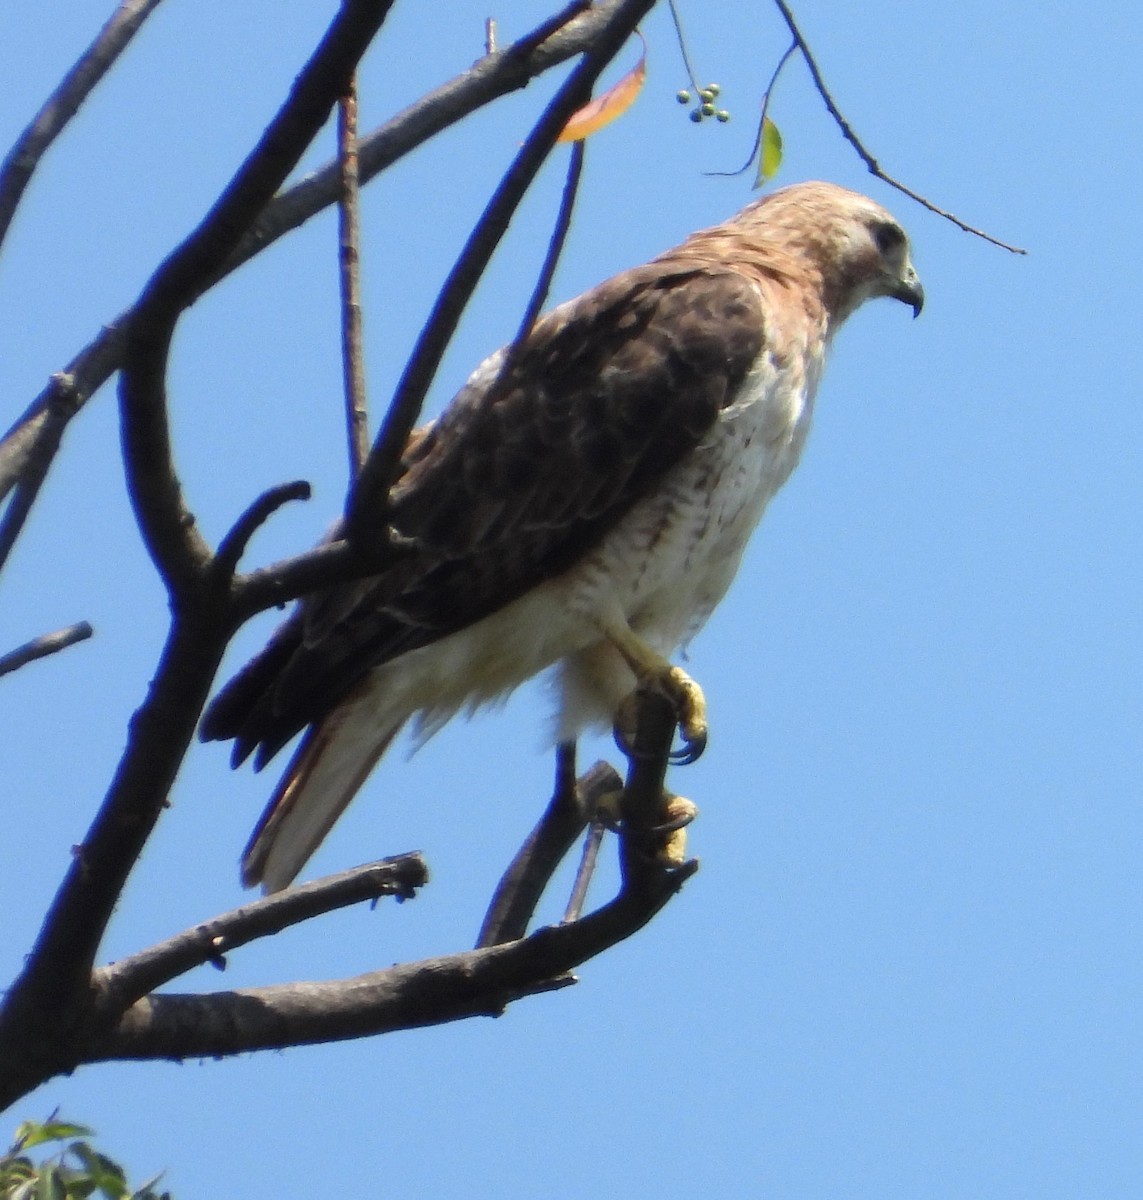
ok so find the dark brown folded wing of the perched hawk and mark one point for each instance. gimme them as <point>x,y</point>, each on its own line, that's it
<point>516,483</point>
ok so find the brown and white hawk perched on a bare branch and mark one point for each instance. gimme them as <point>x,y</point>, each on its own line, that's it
<point>583,508</point>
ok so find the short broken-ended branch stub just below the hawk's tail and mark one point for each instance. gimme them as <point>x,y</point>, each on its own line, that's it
<point>123,983</point>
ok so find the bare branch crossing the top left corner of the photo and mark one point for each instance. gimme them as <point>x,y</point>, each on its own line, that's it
<point>62,106</point>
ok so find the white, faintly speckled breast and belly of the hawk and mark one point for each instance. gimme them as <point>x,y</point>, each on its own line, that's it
<point>662,571</point>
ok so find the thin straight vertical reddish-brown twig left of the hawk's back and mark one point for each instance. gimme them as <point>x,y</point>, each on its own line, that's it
<point>350,277</point>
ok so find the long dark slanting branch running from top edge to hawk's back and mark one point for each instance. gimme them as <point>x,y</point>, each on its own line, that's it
<point>368,500</point>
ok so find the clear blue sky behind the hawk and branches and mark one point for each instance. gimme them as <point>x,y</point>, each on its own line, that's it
<point>911,964</point>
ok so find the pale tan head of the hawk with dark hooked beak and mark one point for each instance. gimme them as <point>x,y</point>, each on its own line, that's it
<point>854,248</point>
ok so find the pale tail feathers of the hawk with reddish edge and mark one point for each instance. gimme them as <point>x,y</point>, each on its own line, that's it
<point>327,771</point>
